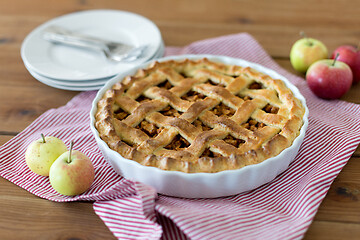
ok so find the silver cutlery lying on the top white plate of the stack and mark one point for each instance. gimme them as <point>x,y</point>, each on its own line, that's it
<point>114,51</point>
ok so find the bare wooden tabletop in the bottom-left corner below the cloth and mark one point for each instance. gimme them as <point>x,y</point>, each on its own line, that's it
<point>25,216</point>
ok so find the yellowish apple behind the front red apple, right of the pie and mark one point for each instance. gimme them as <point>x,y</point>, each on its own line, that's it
<point>305,52</point>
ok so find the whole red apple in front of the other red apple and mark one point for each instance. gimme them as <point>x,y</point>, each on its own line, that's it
<point>329,79</point>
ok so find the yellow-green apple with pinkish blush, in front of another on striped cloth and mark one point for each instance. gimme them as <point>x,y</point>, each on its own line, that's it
<point>72,173</point>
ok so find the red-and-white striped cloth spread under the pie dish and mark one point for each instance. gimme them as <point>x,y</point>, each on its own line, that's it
<point>281,209</point>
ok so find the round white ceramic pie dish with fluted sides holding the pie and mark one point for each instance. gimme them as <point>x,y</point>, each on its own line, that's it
<point>202,185</point>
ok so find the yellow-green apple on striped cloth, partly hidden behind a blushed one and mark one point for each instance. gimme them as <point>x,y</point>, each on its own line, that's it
<point>41,154</point>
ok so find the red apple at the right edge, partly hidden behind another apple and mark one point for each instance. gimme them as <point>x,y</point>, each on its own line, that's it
<point>351,56</point>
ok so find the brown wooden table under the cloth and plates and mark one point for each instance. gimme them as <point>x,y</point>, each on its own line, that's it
<point>275,24</point>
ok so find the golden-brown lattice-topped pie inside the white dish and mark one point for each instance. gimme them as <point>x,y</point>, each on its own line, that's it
<point>198,116</point>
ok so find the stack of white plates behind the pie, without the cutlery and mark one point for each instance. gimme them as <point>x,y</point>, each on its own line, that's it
<point>77,69</point>
